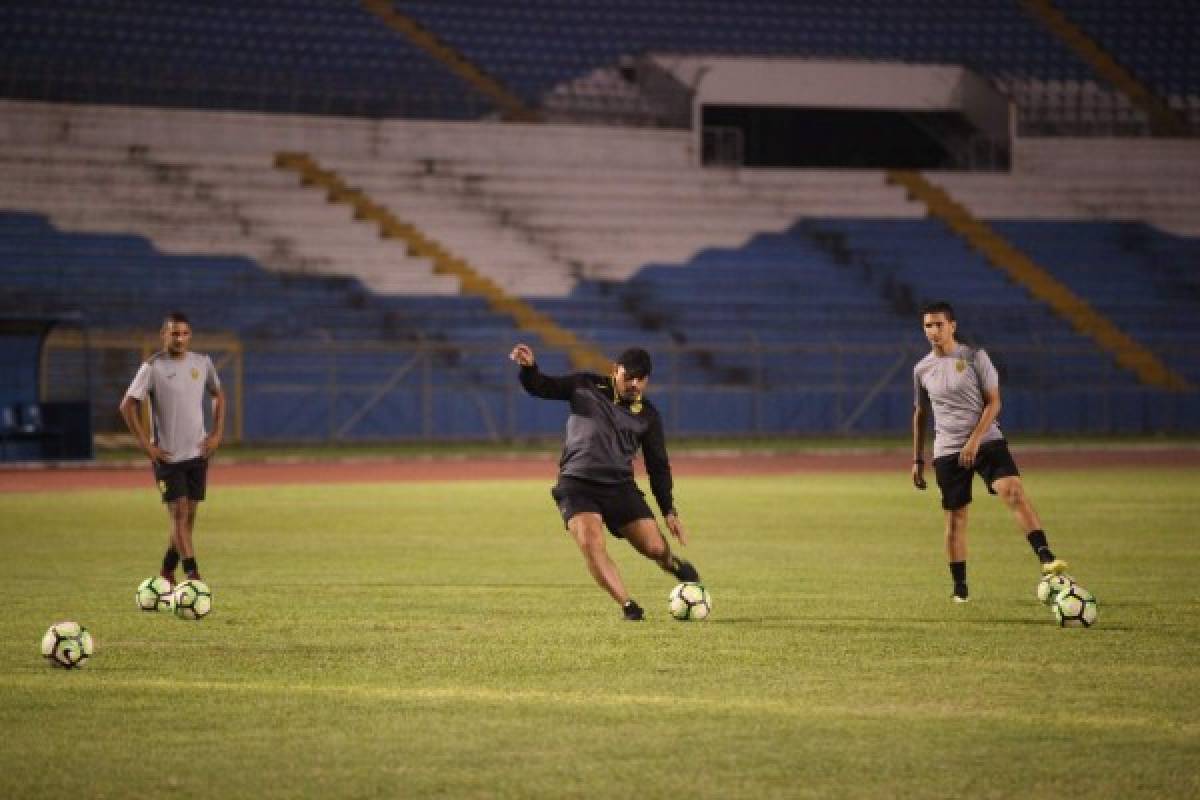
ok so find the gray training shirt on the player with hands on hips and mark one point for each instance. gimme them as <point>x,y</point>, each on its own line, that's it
<point>177,389</point>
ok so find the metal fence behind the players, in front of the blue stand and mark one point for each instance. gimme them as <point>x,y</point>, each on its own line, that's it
<point>380,392</point>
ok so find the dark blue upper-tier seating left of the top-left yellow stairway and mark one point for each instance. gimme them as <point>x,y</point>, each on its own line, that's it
<point>313,57</point>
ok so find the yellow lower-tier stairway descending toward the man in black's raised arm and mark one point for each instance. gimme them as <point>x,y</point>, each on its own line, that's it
<point>526,317</point>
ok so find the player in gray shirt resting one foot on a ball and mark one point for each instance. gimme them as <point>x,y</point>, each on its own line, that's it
<point>962,386</point>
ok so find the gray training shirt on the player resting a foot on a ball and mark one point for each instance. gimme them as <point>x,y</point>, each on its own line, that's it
<point>953,384</point>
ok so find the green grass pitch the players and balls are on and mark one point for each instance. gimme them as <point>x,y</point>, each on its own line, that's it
<point>445,640</point>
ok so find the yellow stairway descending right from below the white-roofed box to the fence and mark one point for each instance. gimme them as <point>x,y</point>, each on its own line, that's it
<point>1041,284</point>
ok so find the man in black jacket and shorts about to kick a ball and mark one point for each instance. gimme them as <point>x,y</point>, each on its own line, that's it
<point>610,420</point>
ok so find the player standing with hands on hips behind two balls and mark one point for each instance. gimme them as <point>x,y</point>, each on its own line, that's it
<point>176,382</point>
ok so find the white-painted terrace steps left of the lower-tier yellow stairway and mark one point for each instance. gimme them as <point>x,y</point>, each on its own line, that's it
<point>213,204</point>
